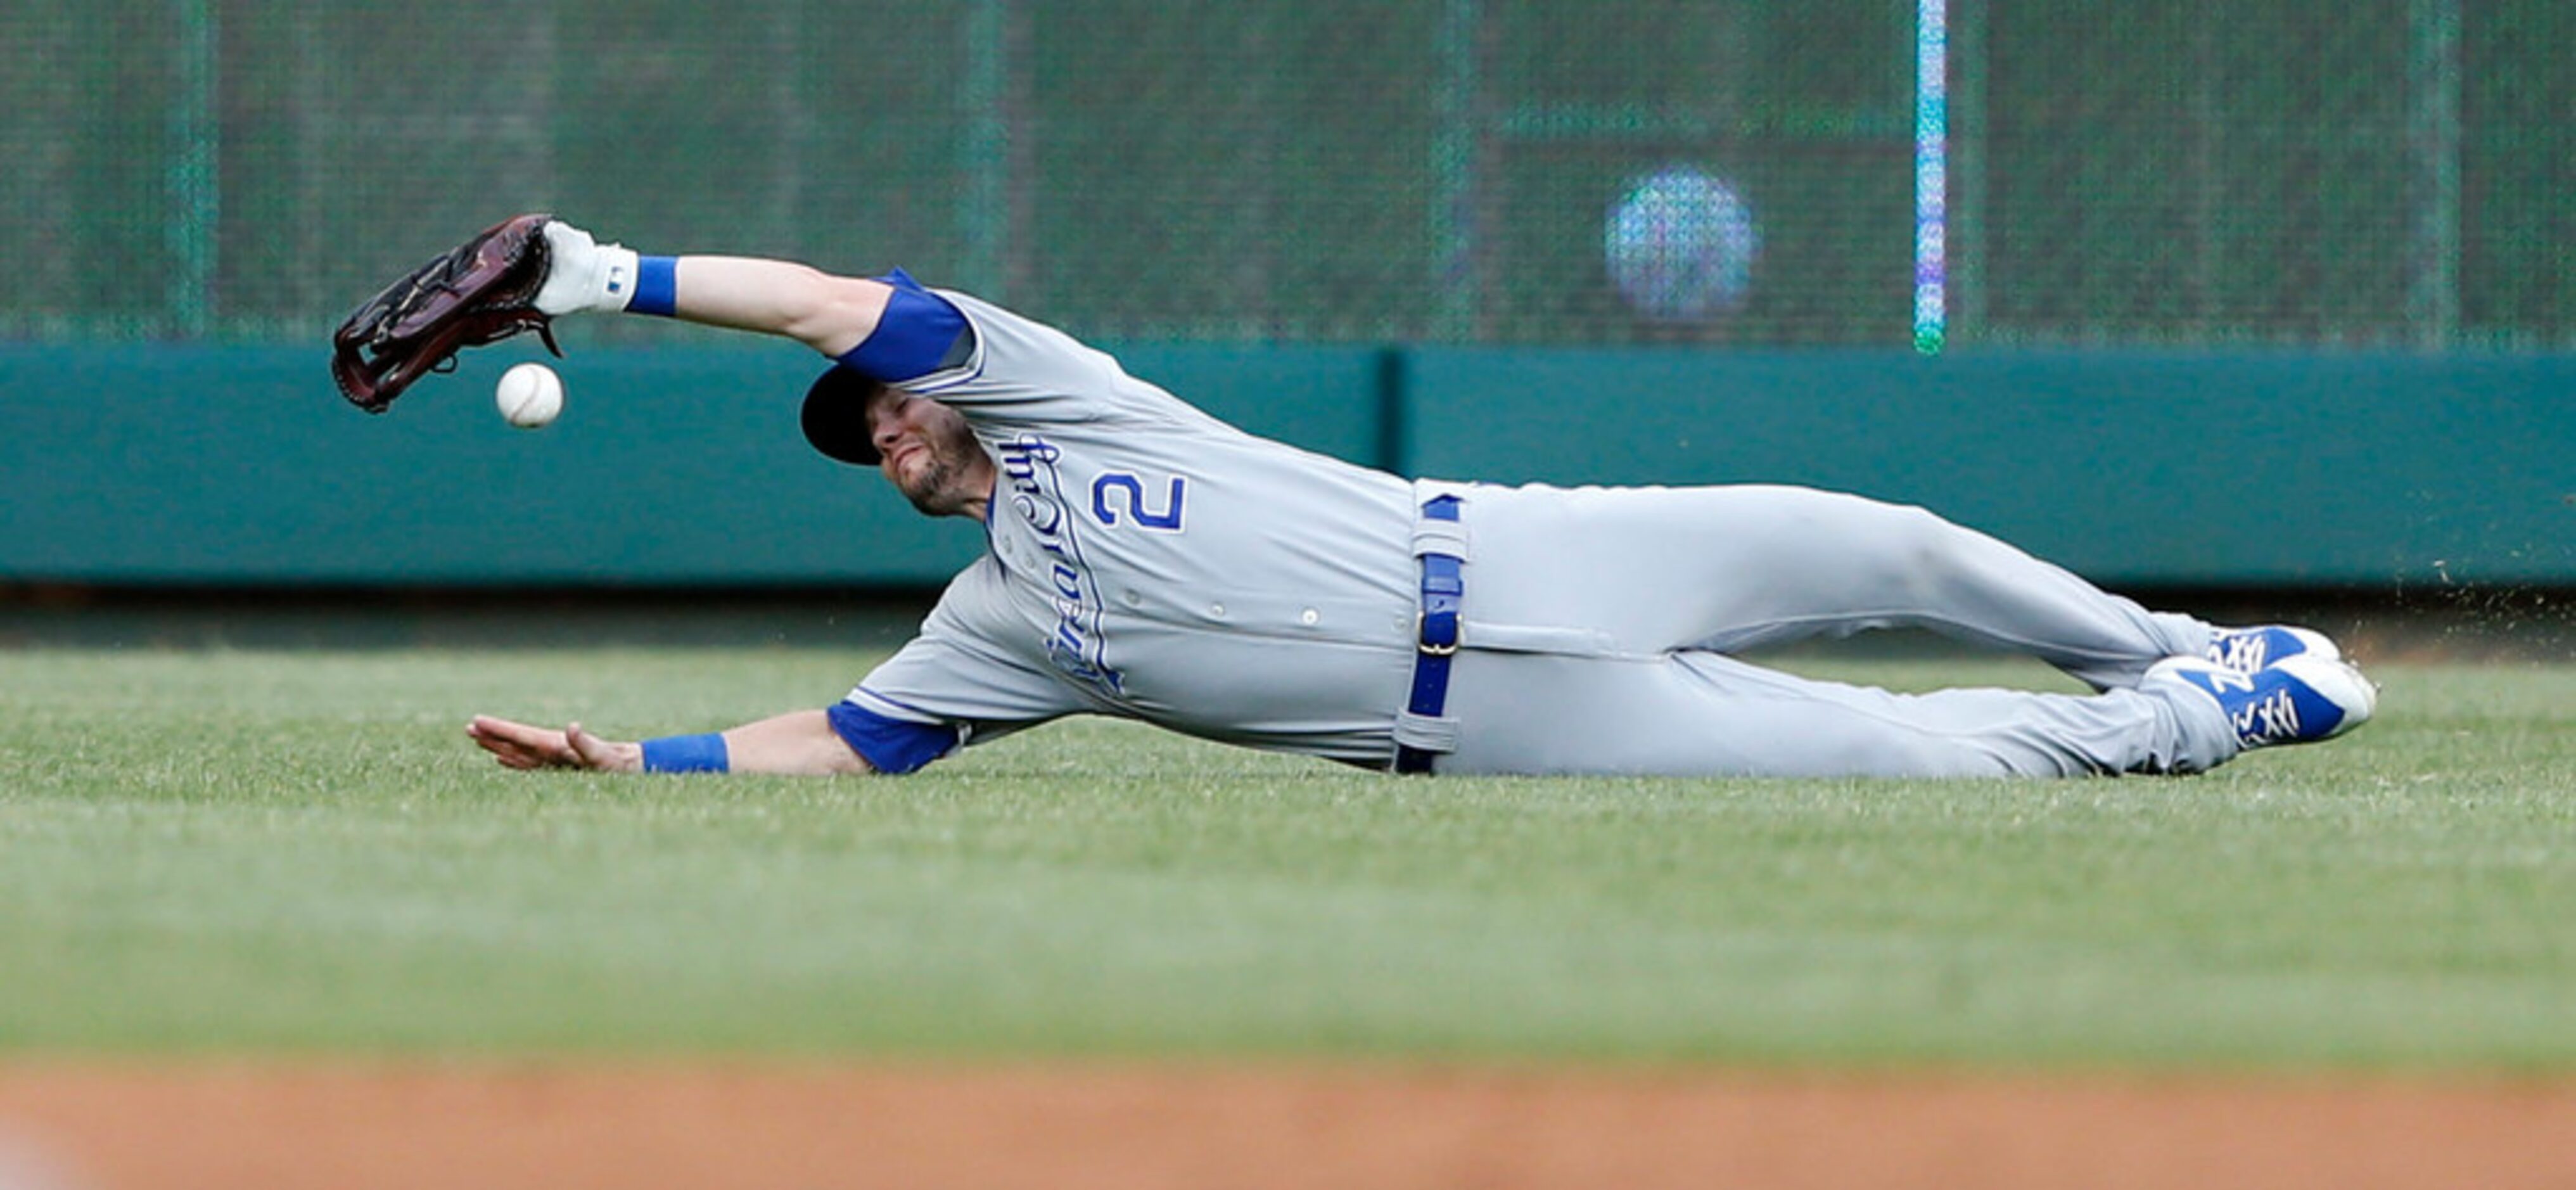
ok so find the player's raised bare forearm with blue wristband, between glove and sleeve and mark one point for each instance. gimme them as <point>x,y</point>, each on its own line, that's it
<point>774,297</point>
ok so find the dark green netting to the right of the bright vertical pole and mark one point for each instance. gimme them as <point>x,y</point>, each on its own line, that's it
<point>2384,171</point>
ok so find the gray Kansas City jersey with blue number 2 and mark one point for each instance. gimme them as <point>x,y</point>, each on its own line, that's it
<point>1148,560</point>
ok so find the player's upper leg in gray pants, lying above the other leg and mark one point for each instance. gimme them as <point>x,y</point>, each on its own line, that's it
<point>1738,568</point>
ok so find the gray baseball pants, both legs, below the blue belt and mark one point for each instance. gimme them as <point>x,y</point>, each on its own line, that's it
<point>1601,622</point>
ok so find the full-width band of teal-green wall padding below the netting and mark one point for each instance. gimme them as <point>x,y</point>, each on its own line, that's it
<point>182,465</point>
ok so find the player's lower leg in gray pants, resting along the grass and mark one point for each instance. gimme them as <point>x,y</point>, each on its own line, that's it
<point>1709,715</point>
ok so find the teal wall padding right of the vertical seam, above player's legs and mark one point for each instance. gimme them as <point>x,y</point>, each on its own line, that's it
<point>2129,467</point>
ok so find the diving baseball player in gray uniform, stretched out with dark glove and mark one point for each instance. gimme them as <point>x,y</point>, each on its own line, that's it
<point>1153,563</point>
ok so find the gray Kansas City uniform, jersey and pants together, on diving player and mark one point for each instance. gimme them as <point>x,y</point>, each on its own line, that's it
<point>1153,563</point>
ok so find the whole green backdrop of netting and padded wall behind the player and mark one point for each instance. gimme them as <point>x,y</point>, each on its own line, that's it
<point>2183,295</point>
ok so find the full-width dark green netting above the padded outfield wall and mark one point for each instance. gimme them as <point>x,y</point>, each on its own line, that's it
<point>1400,171</point>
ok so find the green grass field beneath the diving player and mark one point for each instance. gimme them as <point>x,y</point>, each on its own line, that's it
<point>300,851</point>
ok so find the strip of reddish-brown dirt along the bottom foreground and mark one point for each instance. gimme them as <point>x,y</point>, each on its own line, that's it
<point>496,1127</point>
